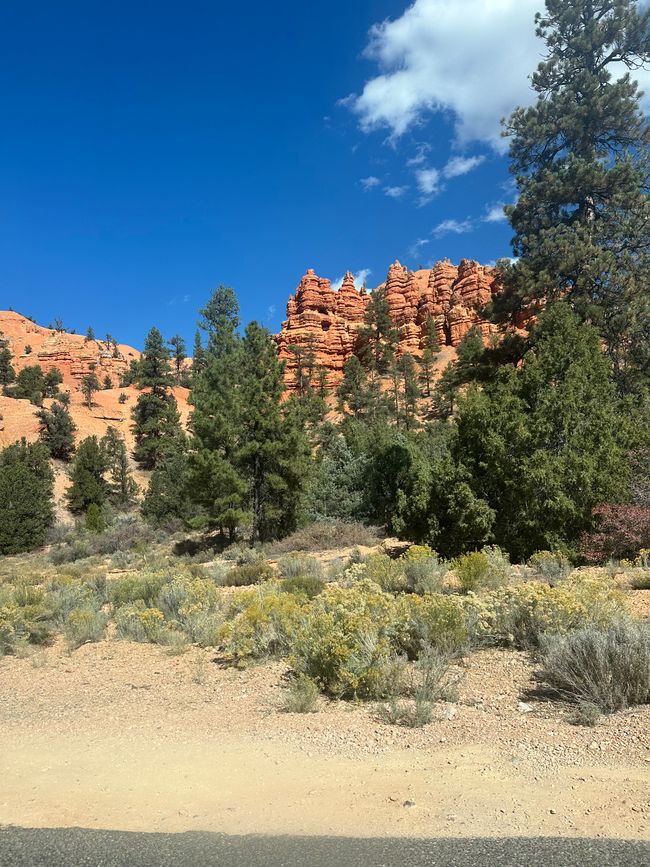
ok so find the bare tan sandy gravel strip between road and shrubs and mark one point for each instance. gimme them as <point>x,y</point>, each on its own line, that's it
<point>126,737</point>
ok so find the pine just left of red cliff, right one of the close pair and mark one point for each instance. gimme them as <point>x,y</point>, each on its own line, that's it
<point>272,449</point>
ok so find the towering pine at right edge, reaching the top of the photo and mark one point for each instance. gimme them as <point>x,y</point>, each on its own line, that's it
<point>581,157</point>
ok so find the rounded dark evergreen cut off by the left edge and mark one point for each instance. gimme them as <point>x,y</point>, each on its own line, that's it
<point>26,497</point>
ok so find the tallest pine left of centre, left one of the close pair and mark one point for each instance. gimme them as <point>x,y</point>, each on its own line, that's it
<point>214,483</point>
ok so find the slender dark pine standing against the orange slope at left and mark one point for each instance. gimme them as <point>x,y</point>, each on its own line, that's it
<point>156,421</point>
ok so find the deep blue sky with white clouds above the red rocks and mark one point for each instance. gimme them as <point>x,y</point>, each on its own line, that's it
<point>149,151</point>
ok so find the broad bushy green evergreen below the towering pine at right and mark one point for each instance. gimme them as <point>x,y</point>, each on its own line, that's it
<point>543,442</point>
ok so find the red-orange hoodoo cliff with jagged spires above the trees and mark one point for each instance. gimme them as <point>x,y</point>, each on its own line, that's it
<point>322,324</point>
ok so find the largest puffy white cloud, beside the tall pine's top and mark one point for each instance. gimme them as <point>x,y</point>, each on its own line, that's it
<point>470,58</point>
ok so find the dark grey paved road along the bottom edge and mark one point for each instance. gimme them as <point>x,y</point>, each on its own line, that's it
<point>77,847</point>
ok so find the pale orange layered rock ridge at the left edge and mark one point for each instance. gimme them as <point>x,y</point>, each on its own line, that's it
<point>72,354</point>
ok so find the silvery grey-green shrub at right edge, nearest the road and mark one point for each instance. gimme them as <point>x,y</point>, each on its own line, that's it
<point>606,668</point>
